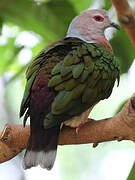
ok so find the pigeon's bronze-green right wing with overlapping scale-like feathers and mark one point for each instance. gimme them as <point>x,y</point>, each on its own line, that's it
<point>86,75</point>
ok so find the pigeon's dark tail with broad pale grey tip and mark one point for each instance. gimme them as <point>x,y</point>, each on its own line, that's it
<point>42,148</point>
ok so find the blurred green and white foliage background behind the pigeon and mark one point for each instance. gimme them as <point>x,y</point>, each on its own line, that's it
<point>27,26</point>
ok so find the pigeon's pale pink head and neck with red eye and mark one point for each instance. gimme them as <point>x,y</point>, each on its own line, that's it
<point>90,26</point>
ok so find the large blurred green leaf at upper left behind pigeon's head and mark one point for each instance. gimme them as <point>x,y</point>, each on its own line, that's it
<point>49,19</point>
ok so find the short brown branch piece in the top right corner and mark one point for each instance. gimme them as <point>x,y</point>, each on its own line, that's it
<point>126,18</point>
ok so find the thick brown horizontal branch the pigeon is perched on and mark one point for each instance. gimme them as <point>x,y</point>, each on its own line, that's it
<point>14,138</point>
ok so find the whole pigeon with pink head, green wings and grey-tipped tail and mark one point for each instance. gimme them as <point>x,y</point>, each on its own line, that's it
<point>65,81</point>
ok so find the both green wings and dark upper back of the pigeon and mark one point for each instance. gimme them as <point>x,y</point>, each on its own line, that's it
<point>80,74</point>
